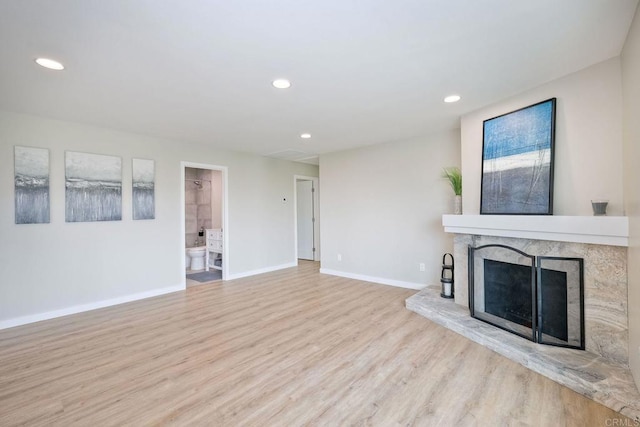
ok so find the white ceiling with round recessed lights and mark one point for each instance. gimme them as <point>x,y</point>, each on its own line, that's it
<point>362,71</point>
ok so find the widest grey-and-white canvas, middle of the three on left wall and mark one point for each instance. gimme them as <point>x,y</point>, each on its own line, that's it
<point>93,187</point>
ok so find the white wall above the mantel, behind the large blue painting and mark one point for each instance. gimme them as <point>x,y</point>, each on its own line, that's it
<point>588,144</point>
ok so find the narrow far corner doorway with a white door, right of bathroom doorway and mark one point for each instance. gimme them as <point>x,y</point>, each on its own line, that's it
<point>307,219</point>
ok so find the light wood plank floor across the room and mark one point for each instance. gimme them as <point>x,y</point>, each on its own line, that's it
<point>287,348</point>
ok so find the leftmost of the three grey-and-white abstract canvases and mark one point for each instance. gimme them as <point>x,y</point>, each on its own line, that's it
<point>31,180</point>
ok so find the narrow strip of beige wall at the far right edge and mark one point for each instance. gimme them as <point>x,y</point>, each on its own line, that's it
<point>631,99</point>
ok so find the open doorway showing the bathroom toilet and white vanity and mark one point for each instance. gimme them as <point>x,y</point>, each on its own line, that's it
<point>204,198</point>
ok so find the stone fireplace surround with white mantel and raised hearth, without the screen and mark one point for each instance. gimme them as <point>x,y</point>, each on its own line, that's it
<point>601,372</point>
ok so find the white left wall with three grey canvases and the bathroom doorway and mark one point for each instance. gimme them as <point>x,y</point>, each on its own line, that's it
<point>60,266</point>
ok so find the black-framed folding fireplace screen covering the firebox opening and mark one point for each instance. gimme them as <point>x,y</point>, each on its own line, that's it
<point>540,298</point>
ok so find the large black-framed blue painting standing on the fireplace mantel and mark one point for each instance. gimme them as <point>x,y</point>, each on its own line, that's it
<point>517,161</point>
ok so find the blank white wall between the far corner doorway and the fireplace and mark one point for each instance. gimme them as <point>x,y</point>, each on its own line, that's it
<point>382,207</point>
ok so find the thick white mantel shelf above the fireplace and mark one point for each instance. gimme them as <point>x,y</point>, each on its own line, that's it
<point>600,230</point>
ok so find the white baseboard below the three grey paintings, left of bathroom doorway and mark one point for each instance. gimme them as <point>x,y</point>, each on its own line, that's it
<point>23,320</point>
